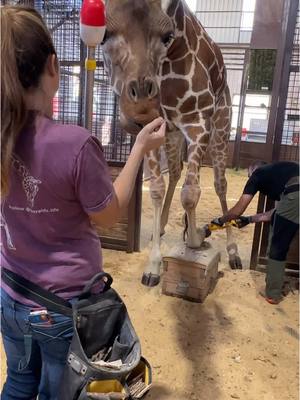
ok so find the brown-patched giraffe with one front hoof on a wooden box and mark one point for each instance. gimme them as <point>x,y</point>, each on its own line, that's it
<point>161,61</point>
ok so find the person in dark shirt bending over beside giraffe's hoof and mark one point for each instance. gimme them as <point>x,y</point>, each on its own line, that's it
<point>280,182</point>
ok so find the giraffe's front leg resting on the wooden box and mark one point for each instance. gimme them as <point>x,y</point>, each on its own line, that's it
<point>190,193</point>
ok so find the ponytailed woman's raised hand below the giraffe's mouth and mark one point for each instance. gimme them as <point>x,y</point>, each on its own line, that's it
<point>152,135</point>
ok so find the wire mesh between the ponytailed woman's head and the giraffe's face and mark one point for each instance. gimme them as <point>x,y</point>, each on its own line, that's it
<point>62,19</point>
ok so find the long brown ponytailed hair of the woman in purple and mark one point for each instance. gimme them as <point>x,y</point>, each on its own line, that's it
<point>25,46</point>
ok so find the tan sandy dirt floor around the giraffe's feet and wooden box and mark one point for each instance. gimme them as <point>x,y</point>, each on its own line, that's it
<point>234,345</point>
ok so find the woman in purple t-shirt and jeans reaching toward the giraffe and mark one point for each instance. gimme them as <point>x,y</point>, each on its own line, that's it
<point>55,181</point>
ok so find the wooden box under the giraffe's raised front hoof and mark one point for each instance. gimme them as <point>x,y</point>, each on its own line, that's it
<point>189,273</point>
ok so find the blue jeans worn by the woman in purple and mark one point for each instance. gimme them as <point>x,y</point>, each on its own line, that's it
<point>36,350</point>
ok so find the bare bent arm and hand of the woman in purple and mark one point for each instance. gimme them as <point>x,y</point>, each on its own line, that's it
<point>148,139</point>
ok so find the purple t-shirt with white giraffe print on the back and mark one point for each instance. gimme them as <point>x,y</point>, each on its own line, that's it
<point>59,175</point>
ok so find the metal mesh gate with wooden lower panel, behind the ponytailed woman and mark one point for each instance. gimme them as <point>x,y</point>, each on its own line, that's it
<point>62,18</point>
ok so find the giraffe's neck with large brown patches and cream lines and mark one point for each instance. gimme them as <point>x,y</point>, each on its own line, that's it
<point>192,76</point>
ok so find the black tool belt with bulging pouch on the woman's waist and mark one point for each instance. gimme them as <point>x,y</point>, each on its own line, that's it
<point>104,360</point>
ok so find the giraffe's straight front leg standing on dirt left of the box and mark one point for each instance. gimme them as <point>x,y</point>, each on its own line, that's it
<point>151,275</point>
